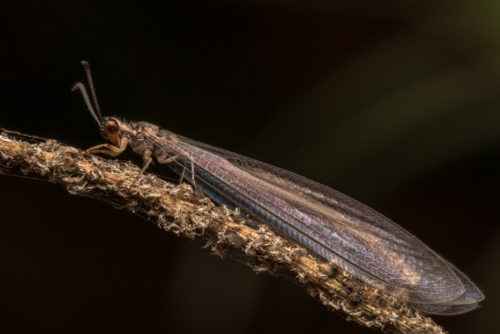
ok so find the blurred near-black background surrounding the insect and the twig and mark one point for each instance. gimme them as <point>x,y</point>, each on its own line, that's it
<point>394,103</point>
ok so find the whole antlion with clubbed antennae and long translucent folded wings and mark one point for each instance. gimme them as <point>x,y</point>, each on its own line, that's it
<point>332,225</point>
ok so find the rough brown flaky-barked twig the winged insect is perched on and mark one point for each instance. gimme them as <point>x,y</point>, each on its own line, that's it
<point>186,212</point>
